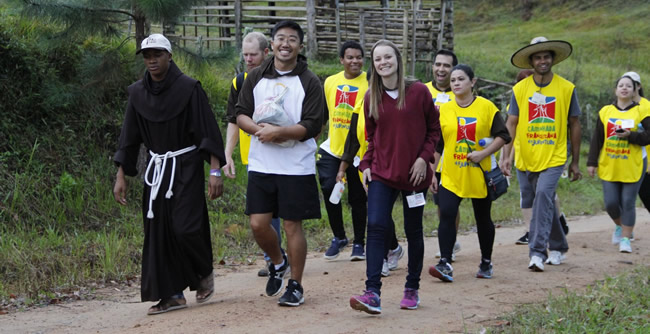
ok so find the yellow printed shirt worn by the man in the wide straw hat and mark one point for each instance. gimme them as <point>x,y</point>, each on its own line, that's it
<point>543,122</point>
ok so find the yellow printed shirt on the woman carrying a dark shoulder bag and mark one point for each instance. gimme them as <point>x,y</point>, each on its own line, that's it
<point>461,127</point>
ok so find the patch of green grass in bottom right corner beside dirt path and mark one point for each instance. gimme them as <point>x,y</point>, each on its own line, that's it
<point>617,304</point>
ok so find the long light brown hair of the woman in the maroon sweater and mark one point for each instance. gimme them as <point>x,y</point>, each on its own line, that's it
<point>375,85</point>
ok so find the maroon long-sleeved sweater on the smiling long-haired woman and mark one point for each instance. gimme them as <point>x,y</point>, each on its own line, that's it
<point>399,137</point>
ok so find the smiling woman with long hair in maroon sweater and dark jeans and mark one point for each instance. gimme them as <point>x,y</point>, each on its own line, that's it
<point>403,129</point>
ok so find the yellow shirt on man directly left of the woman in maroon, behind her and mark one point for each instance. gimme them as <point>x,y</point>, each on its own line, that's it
<point>341,96</point>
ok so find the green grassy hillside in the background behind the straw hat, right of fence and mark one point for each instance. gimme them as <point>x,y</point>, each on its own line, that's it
<point>608,38</point>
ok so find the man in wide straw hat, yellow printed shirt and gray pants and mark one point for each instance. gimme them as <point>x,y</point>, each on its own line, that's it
<point>548,106</point>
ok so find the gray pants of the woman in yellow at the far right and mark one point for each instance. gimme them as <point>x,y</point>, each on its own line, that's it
<point>620,199</point>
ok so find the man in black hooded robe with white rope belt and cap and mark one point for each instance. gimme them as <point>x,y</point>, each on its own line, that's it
<point>169,113</point>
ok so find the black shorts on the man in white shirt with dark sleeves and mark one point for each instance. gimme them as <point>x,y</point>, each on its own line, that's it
<point>291,197</point>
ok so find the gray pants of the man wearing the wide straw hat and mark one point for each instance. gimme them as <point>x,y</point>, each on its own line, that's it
<point>545,228</point>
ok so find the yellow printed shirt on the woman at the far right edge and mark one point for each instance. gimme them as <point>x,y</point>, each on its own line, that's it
<point>620,161</point>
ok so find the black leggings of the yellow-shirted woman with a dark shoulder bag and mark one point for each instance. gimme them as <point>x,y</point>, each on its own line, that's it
<point>449,202</point>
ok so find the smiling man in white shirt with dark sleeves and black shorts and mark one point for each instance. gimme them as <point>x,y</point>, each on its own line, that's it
<point>281,160</point>
